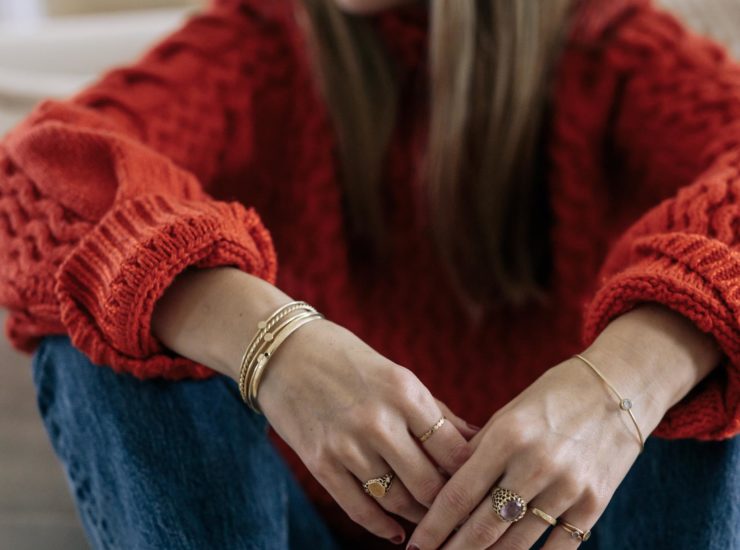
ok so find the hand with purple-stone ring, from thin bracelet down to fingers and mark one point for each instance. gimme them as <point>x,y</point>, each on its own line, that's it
<point>562,445</point>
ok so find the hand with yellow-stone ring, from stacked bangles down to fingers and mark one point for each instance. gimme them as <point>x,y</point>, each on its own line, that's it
<point>352,415</point>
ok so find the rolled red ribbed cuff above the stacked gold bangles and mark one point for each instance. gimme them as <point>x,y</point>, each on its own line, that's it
<point>108,286</point>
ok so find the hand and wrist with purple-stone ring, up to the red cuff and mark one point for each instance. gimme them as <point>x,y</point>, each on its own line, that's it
<point>564,445</point>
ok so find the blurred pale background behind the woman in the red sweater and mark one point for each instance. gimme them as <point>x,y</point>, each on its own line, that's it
<point>52,48</point>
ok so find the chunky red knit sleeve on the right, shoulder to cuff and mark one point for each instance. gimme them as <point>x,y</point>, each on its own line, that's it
<point>676,125</point>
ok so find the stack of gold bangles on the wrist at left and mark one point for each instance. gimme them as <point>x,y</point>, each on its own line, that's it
<point>270,334</point>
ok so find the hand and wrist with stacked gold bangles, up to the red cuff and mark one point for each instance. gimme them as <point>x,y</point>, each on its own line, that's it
<point>349,413</point>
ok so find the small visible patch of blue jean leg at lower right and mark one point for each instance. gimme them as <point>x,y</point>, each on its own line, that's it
<point>681,494</point>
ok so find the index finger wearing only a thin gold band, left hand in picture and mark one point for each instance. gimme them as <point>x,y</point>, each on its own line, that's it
<point>445,444</point>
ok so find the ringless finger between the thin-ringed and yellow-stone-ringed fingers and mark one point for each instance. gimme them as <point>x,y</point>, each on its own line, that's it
<point>415,469</point>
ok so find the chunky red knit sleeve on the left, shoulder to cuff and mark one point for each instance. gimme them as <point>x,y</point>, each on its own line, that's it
<point>103,196</point>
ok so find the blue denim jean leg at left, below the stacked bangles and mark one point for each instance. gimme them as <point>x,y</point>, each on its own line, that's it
<point>161,464</point>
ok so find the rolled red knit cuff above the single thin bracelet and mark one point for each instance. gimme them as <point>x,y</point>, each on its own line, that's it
<point>698,278</point>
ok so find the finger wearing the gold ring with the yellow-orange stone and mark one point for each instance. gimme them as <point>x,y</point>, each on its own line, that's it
<point>397,500</point>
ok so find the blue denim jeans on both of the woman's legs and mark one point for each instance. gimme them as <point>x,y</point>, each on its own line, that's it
<point>185,465</point>
